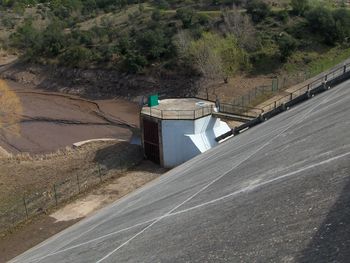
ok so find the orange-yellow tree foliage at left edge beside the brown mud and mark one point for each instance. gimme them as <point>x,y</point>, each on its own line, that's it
<point>10,110</point>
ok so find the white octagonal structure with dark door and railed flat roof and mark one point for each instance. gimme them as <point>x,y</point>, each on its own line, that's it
<point>179,129</point>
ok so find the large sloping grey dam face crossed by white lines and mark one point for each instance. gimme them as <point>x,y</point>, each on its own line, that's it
<point>279,192</point>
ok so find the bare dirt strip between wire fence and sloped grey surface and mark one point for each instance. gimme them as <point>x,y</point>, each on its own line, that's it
<point>45,226</point>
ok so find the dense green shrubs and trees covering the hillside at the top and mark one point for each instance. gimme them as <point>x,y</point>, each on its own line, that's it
<point>133,36</point>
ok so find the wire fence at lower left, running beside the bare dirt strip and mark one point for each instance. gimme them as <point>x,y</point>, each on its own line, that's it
<point>23,206</point>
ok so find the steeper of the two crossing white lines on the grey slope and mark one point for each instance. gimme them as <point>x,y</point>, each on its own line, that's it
<point>304,116</point>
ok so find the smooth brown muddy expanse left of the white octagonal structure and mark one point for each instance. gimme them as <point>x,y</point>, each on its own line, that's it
<point>51,120</point>
